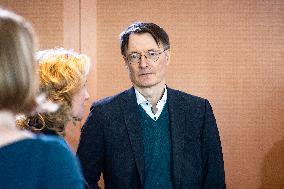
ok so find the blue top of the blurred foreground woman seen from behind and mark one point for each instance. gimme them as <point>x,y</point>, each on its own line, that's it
<point>40,162</point>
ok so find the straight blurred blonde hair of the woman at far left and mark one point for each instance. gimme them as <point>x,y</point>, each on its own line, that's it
<point>18,84</point>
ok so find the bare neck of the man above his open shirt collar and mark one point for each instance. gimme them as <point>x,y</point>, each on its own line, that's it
<point>152,94</point>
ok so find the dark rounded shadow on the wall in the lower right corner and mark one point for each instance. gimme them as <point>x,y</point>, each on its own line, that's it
<point>272,172</point>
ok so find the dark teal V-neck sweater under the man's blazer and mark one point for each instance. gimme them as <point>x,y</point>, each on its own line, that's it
<point>157,149</point>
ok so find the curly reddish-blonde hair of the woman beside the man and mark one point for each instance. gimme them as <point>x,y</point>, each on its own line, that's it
<point>62,73</point>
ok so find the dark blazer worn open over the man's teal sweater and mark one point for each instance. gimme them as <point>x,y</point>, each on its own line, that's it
<point>111,142</point>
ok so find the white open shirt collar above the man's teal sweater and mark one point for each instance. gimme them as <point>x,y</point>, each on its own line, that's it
<point>147,106</point>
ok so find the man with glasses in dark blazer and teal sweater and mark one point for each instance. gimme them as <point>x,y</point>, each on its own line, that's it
<point>151,136</point>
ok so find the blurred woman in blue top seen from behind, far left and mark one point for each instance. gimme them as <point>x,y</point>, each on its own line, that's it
<point>27,160</point>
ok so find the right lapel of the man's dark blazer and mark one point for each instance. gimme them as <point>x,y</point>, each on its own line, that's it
<point>177,111</point>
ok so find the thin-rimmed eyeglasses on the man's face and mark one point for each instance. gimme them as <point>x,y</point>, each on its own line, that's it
<point>151,55</point>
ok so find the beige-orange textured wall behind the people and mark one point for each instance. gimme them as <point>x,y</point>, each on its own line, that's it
<point>230,52</point>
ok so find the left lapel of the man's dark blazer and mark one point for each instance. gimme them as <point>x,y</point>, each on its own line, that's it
<point>130,112</point>
